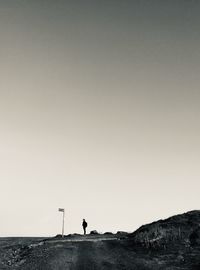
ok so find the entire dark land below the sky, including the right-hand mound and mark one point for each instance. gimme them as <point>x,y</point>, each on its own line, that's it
<point>169,244</point>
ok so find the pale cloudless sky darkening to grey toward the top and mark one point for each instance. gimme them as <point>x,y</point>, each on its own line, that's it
<point>99,113</point>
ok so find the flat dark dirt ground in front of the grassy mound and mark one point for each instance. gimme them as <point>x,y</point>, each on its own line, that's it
<point>88,253</point>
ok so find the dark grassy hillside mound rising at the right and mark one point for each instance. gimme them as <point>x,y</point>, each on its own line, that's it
<point>178,230</point>
